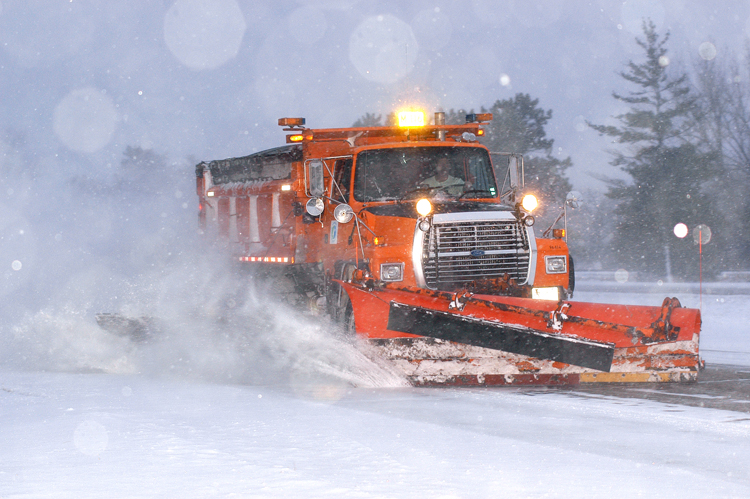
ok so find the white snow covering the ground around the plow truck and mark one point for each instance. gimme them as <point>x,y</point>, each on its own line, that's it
<point>174,433</point>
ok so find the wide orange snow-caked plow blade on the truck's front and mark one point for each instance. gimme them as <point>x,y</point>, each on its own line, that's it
<point>438,338</point>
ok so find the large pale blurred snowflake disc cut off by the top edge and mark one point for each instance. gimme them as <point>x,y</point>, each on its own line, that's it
<point>204,34</point>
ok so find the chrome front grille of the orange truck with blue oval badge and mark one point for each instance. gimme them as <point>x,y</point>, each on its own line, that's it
<point>454,253</point>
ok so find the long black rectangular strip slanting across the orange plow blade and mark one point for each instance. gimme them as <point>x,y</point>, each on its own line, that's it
<point>498,336</point>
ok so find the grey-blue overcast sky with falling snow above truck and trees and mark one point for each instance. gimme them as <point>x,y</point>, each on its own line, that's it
<point>82,79</point>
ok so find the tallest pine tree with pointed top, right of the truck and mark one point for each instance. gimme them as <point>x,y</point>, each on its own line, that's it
<point>666,170</point>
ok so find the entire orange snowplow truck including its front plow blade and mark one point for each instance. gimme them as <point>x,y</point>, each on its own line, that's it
<point>421,240</point>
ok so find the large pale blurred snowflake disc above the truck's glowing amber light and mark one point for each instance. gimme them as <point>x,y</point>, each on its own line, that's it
<point>383,49</point>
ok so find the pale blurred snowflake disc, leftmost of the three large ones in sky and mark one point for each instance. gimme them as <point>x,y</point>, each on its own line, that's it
<point>85,120</point>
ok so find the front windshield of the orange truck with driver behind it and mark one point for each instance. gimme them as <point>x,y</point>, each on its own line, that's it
<point>437,172</point>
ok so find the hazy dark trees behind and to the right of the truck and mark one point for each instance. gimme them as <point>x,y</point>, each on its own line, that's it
<point>684,147</point>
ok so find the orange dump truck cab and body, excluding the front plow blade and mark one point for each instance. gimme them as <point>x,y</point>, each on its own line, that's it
<point>423,205</point>
